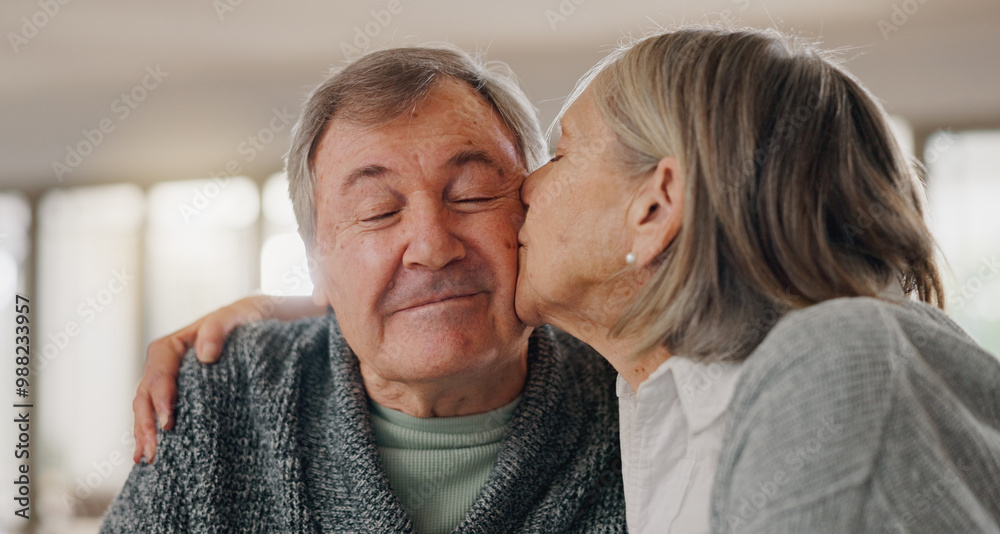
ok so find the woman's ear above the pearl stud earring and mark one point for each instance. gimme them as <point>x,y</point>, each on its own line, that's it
<point>657,212</point>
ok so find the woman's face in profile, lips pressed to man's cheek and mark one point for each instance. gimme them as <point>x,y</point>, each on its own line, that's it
<point>574,236</point>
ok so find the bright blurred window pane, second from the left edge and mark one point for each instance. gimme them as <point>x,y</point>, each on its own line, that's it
<point>85,358</point>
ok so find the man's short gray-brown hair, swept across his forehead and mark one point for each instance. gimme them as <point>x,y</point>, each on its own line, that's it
<point>384,85</point>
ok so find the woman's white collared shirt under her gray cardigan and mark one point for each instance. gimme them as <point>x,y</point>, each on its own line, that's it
<point>671,435</point>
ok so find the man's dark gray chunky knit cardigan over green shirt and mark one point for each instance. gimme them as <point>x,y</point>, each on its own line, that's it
<point>276,437</point>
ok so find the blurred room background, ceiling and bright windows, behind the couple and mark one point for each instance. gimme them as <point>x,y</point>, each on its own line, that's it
<point>141,147</point>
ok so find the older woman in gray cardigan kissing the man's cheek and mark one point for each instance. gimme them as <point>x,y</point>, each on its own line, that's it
<point>730,222</point>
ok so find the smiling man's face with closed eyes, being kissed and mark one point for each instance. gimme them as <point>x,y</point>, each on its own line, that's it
<point>416,238</point>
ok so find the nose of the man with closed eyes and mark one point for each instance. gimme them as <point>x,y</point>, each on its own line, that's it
<point>433,242</point>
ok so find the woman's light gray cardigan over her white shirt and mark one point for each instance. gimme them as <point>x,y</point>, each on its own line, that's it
<point>859,415</point>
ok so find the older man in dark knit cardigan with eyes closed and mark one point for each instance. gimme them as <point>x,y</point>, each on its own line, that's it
<point>422,404</point>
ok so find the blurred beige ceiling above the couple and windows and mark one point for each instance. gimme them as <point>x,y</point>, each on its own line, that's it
<point>224,68</point>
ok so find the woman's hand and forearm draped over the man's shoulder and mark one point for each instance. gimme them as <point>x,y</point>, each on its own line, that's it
<point>157,392</point>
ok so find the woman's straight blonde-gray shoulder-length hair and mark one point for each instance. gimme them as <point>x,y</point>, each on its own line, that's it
<point>796,189</point>
